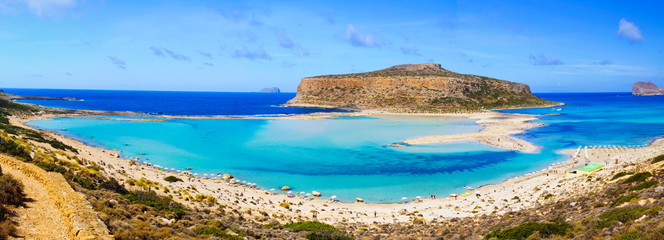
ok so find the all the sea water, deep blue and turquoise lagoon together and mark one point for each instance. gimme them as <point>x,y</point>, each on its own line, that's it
<point>345,157</point>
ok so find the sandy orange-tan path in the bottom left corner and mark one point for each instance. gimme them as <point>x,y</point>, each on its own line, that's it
<point>40,218</point>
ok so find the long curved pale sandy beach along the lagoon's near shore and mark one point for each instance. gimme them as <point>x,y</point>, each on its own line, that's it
<point>498,198</point>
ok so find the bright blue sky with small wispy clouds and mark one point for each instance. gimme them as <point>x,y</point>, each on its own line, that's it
<point>244,46</point>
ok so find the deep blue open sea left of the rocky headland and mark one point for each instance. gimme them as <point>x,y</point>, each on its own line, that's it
<point>169,103</point>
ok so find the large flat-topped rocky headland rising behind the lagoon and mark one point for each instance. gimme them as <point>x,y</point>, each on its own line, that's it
<point>413,88</point>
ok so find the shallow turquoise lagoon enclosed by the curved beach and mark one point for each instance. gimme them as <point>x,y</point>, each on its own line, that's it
<point>346,157</point>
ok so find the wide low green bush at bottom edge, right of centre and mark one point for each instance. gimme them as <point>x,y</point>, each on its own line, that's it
<point>524,230</point>
